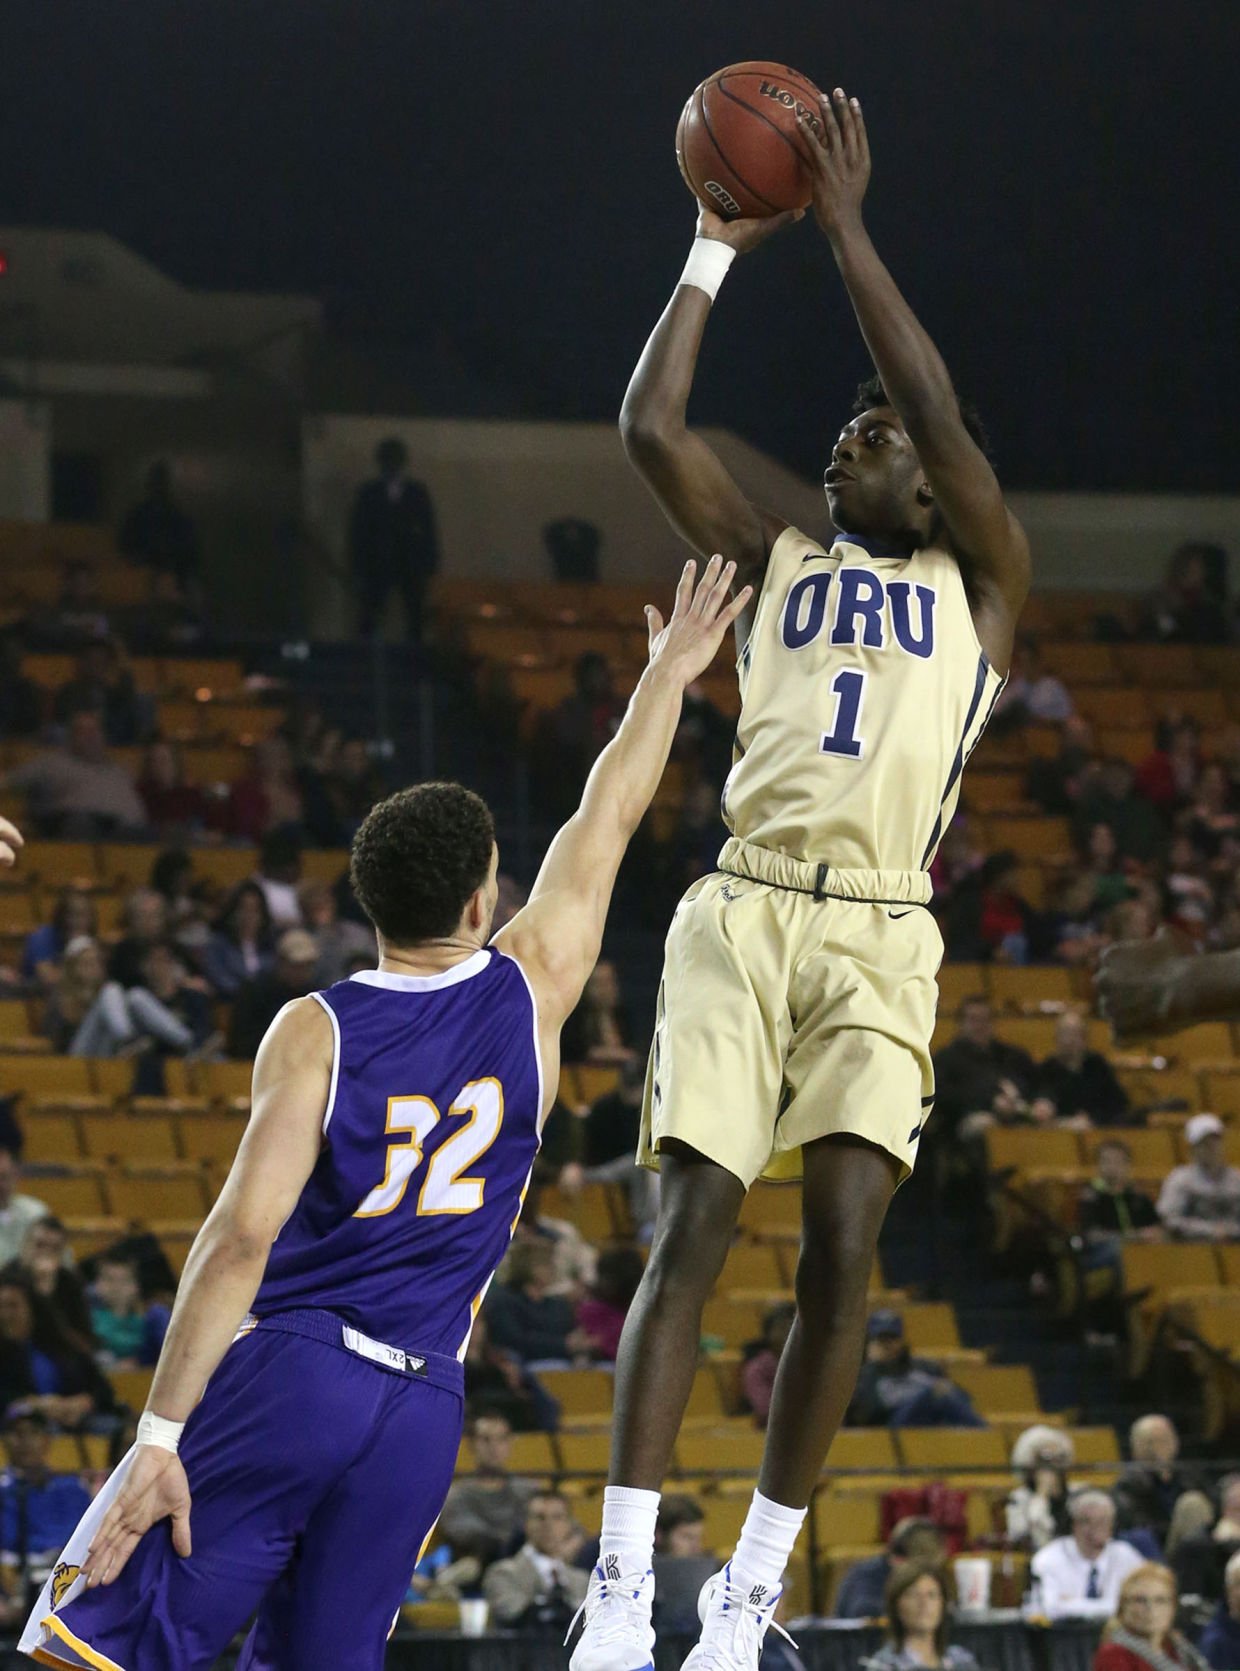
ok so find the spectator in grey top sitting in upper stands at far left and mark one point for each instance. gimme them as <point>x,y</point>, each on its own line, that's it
<point>76,791</point>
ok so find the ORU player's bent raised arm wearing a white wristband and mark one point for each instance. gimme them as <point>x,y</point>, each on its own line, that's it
<point>696,494</point>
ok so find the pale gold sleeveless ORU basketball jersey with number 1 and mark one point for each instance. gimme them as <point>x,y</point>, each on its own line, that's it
<point>863,693</point>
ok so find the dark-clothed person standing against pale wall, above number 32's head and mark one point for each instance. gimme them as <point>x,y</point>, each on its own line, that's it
<point>394,542</point>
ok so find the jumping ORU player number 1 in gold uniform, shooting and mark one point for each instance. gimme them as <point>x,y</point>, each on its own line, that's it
<point>798,997</point>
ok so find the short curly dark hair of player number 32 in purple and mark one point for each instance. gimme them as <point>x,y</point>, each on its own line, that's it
<point>419,858</point>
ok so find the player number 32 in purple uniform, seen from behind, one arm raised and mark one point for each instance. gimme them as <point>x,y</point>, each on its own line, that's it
<point>330,1296</point>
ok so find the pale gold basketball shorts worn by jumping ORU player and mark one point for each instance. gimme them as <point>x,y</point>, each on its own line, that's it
<point>798,1002</point>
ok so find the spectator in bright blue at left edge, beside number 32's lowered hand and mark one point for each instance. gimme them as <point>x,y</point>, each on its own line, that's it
<point>39,1506</point>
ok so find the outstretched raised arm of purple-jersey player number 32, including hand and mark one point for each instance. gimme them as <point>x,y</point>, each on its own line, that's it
<point>559,933</point>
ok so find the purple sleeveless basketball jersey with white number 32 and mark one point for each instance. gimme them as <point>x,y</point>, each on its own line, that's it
<point>430,1135</point>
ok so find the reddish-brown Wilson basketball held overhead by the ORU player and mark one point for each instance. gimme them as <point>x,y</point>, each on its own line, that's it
<point>738,141</point>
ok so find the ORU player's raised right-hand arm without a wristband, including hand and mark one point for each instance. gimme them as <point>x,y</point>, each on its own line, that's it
<point>985,536</point>
